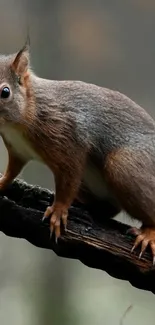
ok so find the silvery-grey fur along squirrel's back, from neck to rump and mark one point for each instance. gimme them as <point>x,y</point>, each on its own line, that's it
<point>102,117</point>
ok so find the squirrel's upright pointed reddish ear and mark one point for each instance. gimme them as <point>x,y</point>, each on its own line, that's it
<point>20,63</point>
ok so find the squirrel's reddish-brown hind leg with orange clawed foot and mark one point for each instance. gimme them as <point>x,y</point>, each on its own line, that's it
<point>130,175</point>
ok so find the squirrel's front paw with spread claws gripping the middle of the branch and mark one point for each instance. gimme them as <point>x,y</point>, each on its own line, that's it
<point>58,213</point>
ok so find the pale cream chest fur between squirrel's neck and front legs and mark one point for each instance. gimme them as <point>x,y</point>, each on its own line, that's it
<point>19,143</point>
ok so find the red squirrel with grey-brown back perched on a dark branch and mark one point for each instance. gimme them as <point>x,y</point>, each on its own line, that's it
<point>99,144</point>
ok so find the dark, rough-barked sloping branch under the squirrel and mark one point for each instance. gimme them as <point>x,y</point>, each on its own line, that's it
<point>102,246</point>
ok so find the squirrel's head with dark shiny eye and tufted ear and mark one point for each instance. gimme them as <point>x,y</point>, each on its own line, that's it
<point>15,89</point>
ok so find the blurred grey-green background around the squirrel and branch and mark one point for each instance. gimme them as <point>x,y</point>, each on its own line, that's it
<point>112,44</point>
